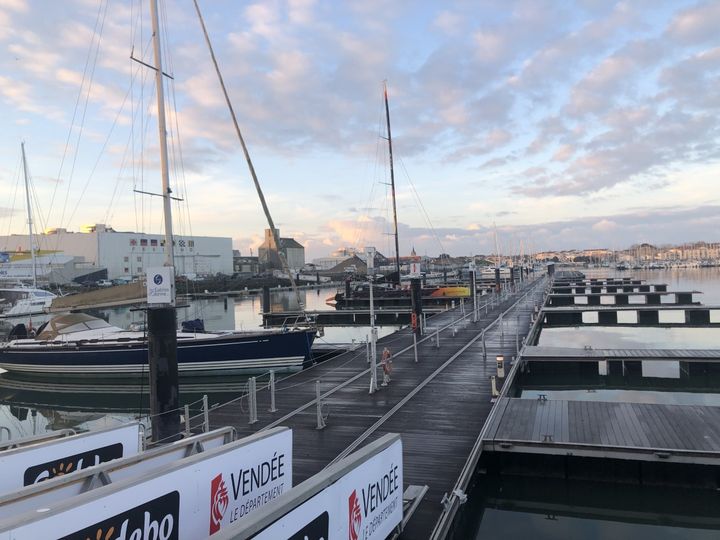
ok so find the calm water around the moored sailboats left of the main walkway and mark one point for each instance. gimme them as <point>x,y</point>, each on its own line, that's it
<point>29,406</point>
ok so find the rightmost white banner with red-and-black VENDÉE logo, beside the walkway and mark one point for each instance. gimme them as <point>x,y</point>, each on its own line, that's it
<point>365,504</point>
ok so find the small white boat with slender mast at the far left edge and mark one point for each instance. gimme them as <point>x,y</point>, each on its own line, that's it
<point>21,300</point>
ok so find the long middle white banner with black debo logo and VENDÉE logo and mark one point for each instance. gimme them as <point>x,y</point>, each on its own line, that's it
<point>192,498</point>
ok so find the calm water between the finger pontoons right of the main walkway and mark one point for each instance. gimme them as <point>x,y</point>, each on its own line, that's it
<point>527,507</point>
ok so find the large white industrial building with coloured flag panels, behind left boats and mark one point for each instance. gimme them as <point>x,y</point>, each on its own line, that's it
<point>122,254</point>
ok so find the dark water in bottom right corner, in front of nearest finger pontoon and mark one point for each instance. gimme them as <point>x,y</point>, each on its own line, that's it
<point>547,509</point>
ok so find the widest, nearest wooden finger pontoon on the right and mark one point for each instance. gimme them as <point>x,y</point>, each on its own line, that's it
<point>650,432</point>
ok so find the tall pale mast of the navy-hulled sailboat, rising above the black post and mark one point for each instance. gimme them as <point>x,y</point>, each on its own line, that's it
<point>167,210</point>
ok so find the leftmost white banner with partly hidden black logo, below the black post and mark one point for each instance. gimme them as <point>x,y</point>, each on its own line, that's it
<point>29,465</point>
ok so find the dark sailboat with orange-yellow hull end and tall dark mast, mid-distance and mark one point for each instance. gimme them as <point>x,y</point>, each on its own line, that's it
<point>359,296</point>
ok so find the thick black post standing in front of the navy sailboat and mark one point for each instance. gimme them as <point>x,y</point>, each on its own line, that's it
<point>162,357</point>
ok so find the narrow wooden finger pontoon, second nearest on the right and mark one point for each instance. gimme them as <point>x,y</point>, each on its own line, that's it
<point>563,354</point>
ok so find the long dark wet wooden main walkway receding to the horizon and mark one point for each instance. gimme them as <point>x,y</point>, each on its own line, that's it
<point>438,404</point>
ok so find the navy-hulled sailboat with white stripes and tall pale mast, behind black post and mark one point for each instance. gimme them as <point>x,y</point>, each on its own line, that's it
<point>78,344</point>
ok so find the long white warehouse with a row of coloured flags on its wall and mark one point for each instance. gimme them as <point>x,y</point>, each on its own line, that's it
<point>129,254</point>
